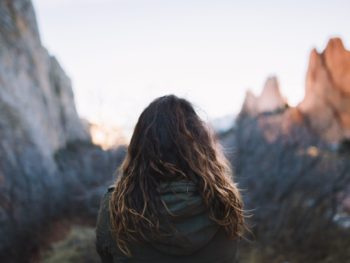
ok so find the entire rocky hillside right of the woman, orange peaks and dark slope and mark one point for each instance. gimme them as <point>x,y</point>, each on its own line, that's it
<point>293,164</point>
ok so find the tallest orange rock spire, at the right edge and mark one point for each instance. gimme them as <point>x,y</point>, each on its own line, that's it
<point>327,94</point>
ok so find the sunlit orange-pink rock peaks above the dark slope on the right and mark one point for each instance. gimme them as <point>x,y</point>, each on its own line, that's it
<point>325,109</point>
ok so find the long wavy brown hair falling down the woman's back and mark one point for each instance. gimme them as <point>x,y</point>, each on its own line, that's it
<point>169,142</point>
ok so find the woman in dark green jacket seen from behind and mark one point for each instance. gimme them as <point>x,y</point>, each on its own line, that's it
<point>174,200</point>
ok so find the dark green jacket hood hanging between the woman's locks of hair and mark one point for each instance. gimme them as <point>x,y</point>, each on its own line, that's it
<point>184,209</point>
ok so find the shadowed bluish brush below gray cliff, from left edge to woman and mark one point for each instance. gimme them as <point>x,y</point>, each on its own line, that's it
<point>33,195</point>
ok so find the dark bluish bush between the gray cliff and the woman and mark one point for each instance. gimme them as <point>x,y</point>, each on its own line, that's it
<point>86,172</point>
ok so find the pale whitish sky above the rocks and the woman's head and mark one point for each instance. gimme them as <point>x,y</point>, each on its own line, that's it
<point>121,54</point>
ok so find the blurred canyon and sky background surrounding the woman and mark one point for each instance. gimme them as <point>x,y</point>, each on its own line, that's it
<point>272,78</point>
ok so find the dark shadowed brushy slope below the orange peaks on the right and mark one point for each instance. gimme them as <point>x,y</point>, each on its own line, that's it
<point>291,186</point>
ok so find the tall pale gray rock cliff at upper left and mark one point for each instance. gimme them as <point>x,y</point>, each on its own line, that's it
<point>33,84</point>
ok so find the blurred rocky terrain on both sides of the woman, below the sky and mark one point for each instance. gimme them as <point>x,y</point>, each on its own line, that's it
<point>291,162</point>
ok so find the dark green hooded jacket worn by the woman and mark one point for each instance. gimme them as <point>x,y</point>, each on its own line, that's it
<point>193,237</point>
